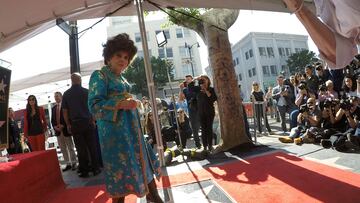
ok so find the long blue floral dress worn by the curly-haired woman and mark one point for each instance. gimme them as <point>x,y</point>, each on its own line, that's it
<point>129,163</point>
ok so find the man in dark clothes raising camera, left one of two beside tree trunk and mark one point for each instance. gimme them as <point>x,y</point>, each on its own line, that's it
<point>192,106</point>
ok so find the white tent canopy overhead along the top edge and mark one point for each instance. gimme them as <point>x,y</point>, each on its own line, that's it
<point>20,20</point>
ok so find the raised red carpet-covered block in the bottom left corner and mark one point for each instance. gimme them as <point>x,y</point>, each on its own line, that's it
<point>33,177</point>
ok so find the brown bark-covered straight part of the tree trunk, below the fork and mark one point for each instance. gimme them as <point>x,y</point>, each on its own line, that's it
<point>230,107</point>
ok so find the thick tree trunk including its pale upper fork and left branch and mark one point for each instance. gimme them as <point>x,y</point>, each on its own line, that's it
<point>213,30</point>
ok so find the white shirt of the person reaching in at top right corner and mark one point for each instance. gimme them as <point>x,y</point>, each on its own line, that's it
<point>343,18</point>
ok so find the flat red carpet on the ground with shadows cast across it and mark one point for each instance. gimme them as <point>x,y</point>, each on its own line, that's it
<point>276,177</point>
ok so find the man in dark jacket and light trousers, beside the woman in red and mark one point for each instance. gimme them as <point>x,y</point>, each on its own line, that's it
<point>64,138</point>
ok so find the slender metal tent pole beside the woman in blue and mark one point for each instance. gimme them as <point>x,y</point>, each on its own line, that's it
<point>150,82</point>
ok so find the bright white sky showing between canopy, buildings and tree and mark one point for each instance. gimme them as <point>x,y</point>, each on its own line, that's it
<point>50,49</point>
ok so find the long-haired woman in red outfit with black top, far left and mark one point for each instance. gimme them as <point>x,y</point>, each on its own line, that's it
<point>35,124</point>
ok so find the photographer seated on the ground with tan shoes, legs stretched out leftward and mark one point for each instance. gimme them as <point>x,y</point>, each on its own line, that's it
<point>309,116</point>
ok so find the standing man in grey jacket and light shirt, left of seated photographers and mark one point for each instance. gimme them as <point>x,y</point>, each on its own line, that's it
<point>282,94</point>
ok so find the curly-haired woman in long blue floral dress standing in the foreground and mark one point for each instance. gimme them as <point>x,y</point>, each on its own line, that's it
<point>129,163</point>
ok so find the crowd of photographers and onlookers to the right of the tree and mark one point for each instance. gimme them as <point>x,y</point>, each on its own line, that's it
<point>319,111</point>
